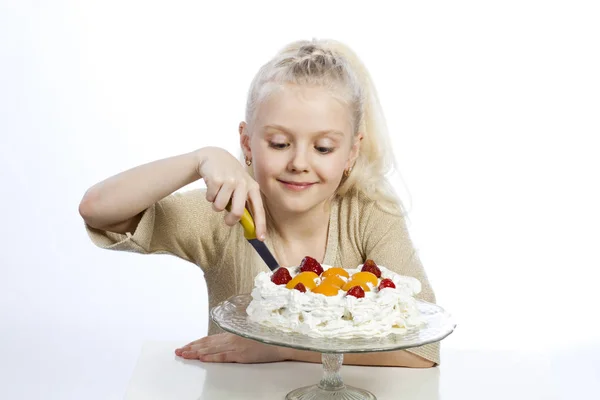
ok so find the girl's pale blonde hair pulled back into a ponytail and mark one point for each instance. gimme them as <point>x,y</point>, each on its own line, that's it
<point>335,66</point>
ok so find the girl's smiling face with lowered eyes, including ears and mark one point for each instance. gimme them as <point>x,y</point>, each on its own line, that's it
<point>301,141</point>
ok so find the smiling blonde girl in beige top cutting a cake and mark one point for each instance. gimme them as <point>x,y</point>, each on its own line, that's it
<point>316,155</point>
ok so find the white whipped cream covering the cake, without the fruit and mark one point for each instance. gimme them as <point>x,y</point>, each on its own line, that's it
<point>379,313</point>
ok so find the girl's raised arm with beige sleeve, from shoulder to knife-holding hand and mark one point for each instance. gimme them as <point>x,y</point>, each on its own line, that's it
<point>137,210</point>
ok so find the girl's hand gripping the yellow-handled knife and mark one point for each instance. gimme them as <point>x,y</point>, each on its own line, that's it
<point>226,179</point>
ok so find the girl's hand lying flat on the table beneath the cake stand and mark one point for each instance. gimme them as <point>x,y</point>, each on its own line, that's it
<point>227,347</point>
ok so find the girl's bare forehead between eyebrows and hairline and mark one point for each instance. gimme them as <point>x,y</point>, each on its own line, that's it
<point>303,109</point>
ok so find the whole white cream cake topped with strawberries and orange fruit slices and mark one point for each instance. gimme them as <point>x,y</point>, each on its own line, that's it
<point>324,301</point>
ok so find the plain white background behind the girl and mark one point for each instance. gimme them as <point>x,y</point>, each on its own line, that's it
<point>494,115</point>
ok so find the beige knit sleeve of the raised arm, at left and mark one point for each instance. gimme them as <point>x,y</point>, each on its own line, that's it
<point>182,224</point>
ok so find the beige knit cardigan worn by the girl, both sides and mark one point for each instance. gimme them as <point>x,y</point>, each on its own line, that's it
<point>185,225</point>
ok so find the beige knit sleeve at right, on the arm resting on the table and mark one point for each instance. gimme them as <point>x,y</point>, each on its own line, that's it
<point>387,242</point>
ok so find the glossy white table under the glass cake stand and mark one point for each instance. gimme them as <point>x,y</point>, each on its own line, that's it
<point>567,374</point>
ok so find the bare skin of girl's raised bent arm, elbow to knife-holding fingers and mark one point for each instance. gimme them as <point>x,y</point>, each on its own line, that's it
<point>117,203</point>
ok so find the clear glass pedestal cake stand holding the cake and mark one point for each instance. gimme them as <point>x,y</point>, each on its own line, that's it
<point>231,316</point>
